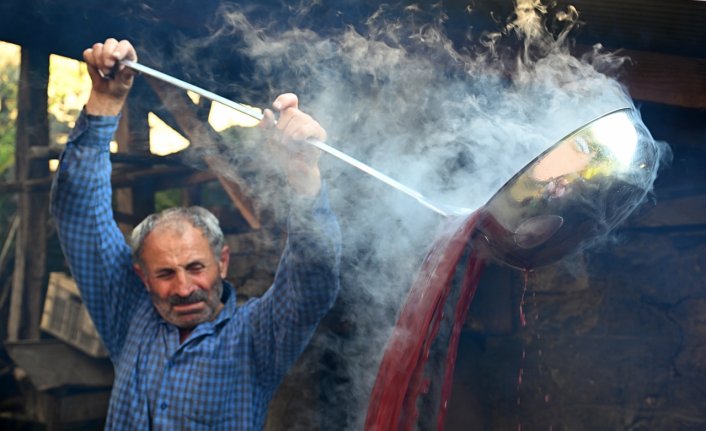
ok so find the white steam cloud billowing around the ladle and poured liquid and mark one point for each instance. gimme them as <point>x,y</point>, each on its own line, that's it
<point>454,123</point>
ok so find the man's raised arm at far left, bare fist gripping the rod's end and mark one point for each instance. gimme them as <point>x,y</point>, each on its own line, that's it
<point>81,203</point>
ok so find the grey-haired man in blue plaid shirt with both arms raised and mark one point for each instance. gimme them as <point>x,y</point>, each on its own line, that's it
<point>186,357</point>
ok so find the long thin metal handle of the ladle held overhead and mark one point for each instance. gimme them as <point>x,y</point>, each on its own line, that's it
<point>257,114</point>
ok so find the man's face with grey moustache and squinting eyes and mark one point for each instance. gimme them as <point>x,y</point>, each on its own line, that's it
<point>182,275</point>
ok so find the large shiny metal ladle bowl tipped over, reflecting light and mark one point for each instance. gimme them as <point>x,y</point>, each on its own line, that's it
<point>572,194</point>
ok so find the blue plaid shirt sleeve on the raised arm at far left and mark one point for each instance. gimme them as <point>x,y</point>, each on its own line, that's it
<point>95,249</point>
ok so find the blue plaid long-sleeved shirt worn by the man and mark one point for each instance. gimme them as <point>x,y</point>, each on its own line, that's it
<point>224,375</point>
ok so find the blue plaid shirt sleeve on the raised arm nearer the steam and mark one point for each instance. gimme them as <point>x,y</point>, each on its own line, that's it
<point>305,287</point>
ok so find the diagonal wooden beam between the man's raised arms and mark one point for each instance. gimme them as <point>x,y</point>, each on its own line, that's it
<point>201,134</point>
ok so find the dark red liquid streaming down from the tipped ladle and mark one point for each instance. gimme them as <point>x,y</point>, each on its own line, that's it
<point>400,379</point>
